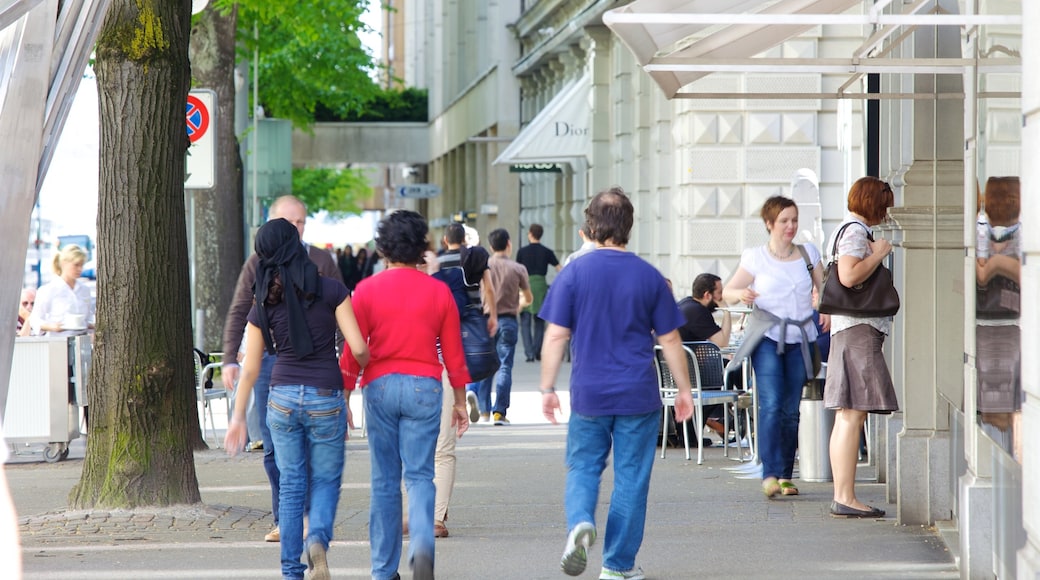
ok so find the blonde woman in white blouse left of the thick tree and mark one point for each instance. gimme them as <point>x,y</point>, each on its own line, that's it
<point>63,307</point>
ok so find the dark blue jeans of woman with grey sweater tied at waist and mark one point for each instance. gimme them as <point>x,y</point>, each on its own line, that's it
<point>779,380</point>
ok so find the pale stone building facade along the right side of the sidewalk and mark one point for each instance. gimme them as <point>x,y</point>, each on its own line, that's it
<point>538,106</point>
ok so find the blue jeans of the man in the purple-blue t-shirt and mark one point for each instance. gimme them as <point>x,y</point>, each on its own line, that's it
<point>589,440</point>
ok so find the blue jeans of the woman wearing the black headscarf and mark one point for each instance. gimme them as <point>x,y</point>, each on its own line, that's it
<point>308,427</point>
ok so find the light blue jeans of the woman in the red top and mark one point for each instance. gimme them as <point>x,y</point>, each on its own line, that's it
<point>404,417</point>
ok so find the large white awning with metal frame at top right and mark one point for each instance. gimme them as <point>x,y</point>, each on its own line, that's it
<point>679,42</point>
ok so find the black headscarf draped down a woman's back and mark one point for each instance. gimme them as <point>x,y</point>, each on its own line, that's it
<point>281,253</point>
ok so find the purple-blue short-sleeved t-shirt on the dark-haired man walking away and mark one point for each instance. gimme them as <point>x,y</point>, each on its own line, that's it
<point>613,302</point>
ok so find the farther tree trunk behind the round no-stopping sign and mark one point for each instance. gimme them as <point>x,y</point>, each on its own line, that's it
<point>218,212</point>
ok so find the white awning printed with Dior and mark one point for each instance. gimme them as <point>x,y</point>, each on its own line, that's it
<point>560,134</point>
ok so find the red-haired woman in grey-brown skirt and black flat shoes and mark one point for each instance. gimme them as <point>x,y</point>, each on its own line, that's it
<point>857,377</point>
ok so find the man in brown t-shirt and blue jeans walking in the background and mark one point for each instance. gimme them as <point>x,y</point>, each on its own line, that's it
<point>509,280</point>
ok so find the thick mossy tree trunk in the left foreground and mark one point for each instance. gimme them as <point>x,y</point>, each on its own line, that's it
<point>142,394</point>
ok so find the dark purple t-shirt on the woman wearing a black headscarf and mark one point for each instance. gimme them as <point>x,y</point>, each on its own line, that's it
<point>321,367</point>
